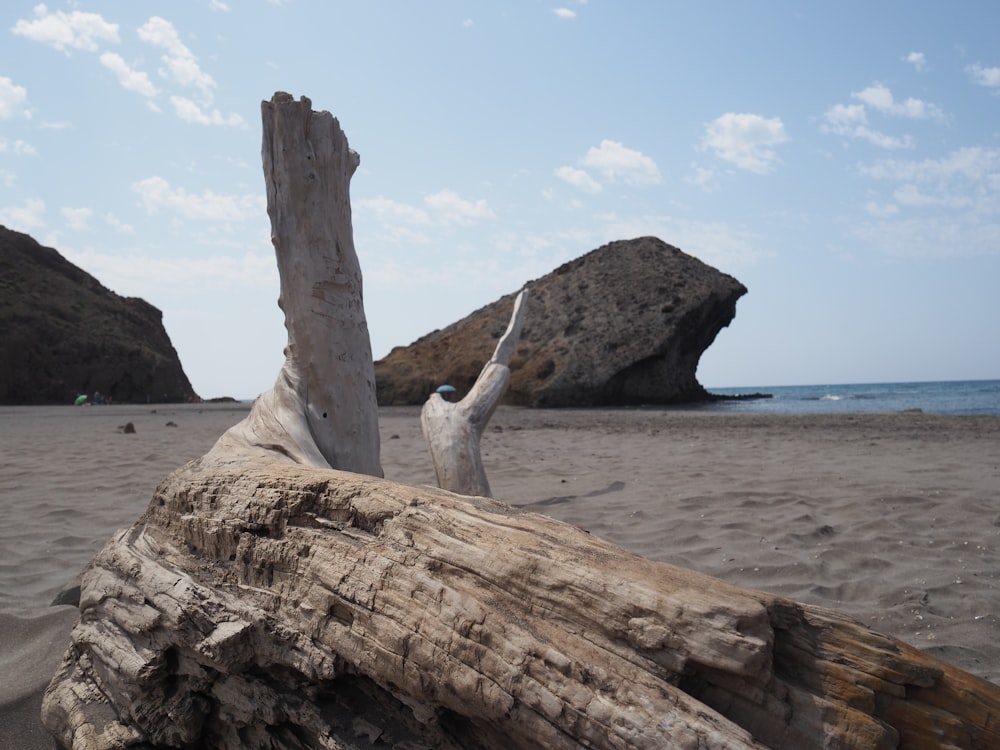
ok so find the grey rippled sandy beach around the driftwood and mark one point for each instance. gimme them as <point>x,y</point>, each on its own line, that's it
<point>890,518</point>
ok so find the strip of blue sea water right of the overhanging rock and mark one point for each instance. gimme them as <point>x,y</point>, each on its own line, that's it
<point>944,397</point>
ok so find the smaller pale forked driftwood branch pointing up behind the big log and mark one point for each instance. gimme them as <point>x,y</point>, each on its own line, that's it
<point>453,430</point>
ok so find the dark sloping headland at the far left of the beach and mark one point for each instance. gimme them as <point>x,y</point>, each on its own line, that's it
<point>62,333</point>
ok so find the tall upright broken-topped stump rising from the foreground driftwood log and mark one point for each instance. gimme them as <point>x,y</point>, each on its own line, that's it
<point>322,410</point>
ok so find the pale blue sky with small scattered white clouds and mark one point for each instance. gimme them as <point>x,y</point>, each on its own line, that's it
<point>842,160</point>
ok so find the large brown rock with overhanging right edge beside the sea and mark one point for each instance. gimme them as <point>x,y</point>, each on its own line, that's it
<point>623,325</point>
